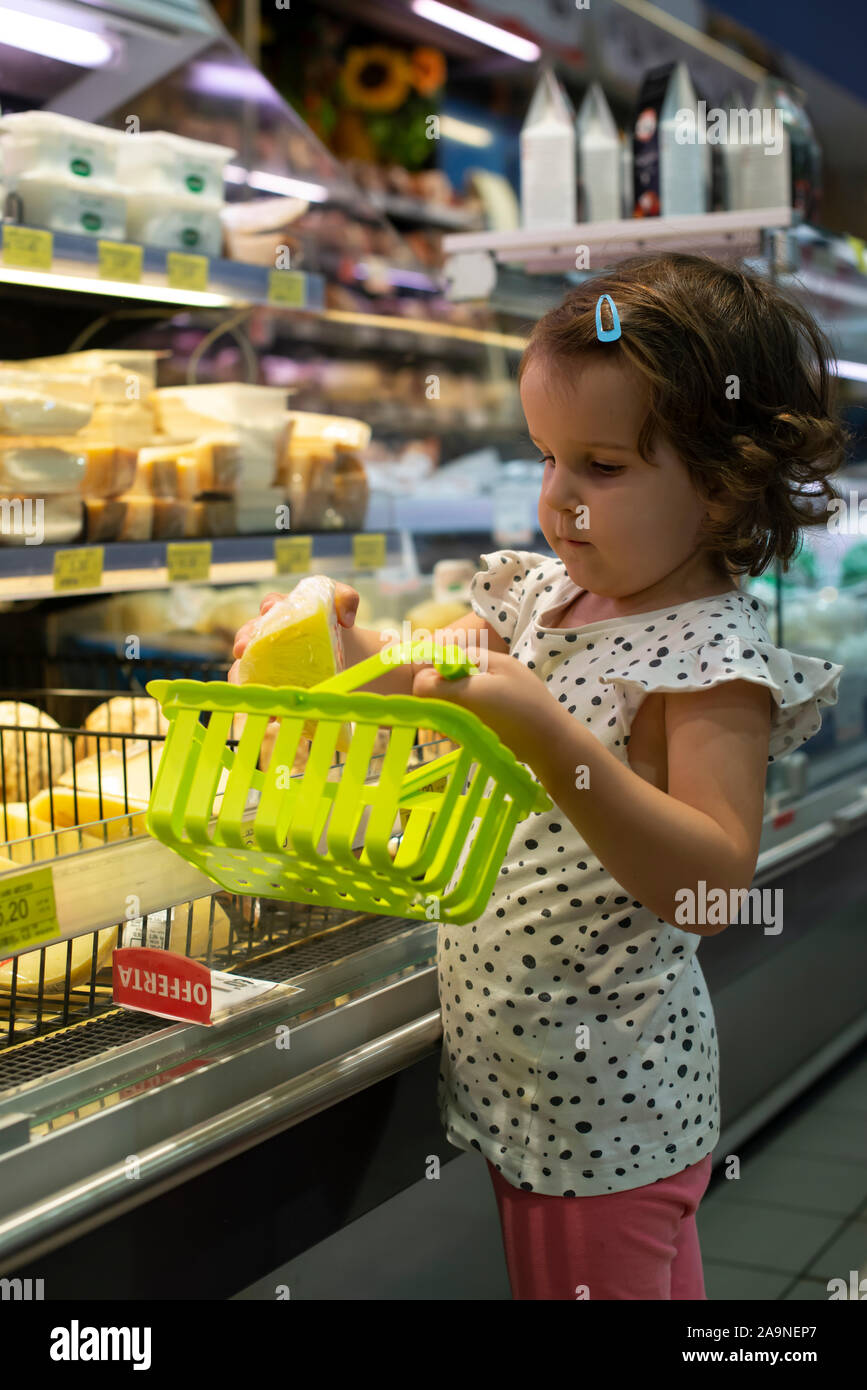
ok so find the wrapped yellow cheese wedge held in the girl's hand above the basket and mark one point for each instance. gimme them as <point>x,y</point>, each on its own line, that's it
<point>298,643</point>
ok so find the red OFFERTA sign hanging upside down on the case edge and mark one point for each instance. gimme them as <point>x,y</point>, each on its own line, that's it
<point>163,983</point>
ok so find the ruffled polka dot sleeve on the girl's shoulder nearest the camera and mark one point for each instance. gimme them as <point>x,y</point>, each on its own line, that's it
<point>801,686</point>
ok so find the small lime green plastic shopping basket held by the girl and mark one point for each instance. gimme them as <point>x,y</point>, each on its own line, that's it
<point>313,840</point>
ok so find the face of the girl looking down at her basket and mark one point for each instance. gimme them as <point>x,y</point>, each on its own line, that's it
<point>643,521</point>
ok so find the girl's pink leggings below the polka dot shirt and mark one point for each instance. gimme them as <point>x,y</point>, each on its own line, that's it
<point>636,1245</point>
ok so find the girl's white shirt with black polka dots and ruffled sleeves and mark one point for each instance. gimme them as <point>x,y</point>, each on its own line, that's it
<point>580,1050</point>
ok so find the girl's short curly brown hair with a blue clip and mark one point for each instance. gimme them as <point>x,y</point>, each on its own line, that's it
<point>690,326</point>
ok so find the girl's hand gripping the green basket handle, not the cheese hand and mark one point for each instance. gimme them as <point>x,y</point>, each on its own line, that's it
<point>506,696</point>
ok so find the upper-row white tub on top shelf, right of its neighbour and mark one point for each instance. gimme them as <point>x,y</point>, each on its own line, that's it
<point>165,163</point>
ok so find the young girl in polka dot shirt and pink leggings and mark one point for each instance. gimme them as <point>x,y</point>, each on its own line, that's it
<point>641,687</point>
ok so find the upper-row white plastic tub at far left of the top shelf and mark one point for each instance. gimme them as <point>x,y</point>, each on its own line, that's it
<point>47,142</point>
